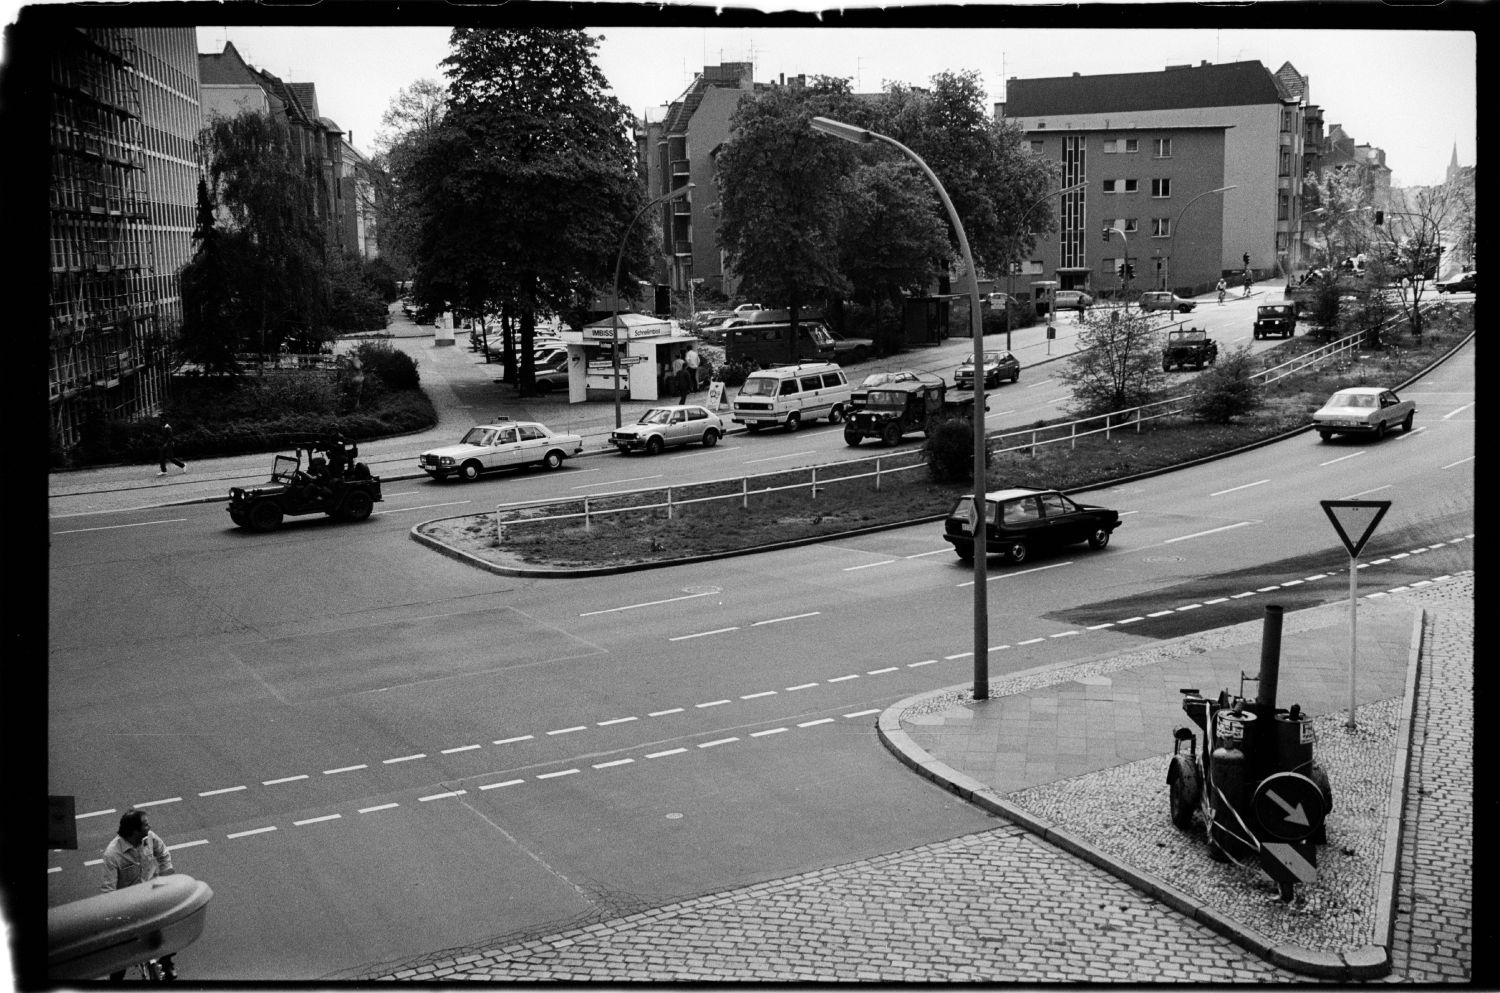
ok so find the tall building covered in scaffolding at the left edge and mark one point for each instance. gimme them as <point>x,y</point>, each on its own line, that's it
<point>124,115</point>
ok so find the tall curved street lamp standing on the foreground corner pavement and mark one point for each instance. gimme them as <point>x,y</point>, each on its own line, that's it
<point>982,614</point>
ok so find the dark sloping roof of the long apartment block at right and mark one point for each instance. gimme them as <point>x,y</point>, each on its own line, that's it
<point>1231,85</point>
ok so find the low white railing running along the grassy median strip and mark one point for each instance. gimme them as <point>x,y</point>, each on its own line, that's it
<point>764,484</point>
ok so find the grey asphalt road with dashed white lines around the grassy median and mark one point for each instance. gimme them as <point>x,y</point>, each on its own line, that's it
<point>373,752</point>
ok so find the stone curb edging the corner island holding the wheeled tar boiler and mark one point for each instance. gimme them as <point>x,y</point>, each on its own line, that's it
<point>1367,962</point>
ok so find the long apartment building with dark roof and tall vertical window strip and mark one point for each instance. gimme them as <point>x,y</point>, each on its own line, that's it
<point>1148,148</point>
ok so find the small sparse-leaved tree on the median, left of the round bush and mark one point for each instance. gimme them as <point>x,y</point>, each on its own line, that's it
<point>1118,364</point>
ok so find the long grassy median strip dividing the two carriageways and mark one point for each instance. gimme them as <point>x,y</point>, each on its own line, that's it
<point>625,532</point>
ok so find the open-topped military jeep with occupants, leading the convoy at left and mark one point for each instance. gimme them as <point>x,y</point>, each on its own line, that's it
<point>332,484</point>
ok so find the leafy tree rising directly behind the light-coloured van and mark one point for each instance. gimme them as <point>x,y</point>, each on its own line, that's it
<point>781,196</point>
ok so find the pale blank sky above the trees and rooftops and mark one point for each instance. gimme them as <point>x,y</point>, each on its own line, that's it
<point>1409,92</point>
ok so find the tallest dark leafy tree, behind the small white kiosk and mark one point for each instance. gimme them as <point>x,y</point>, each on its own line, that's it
<point>521,196</point>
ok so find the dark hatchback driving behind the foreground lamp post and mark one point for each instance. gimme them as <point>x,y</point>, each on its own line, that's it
<point>1022,521</point>
